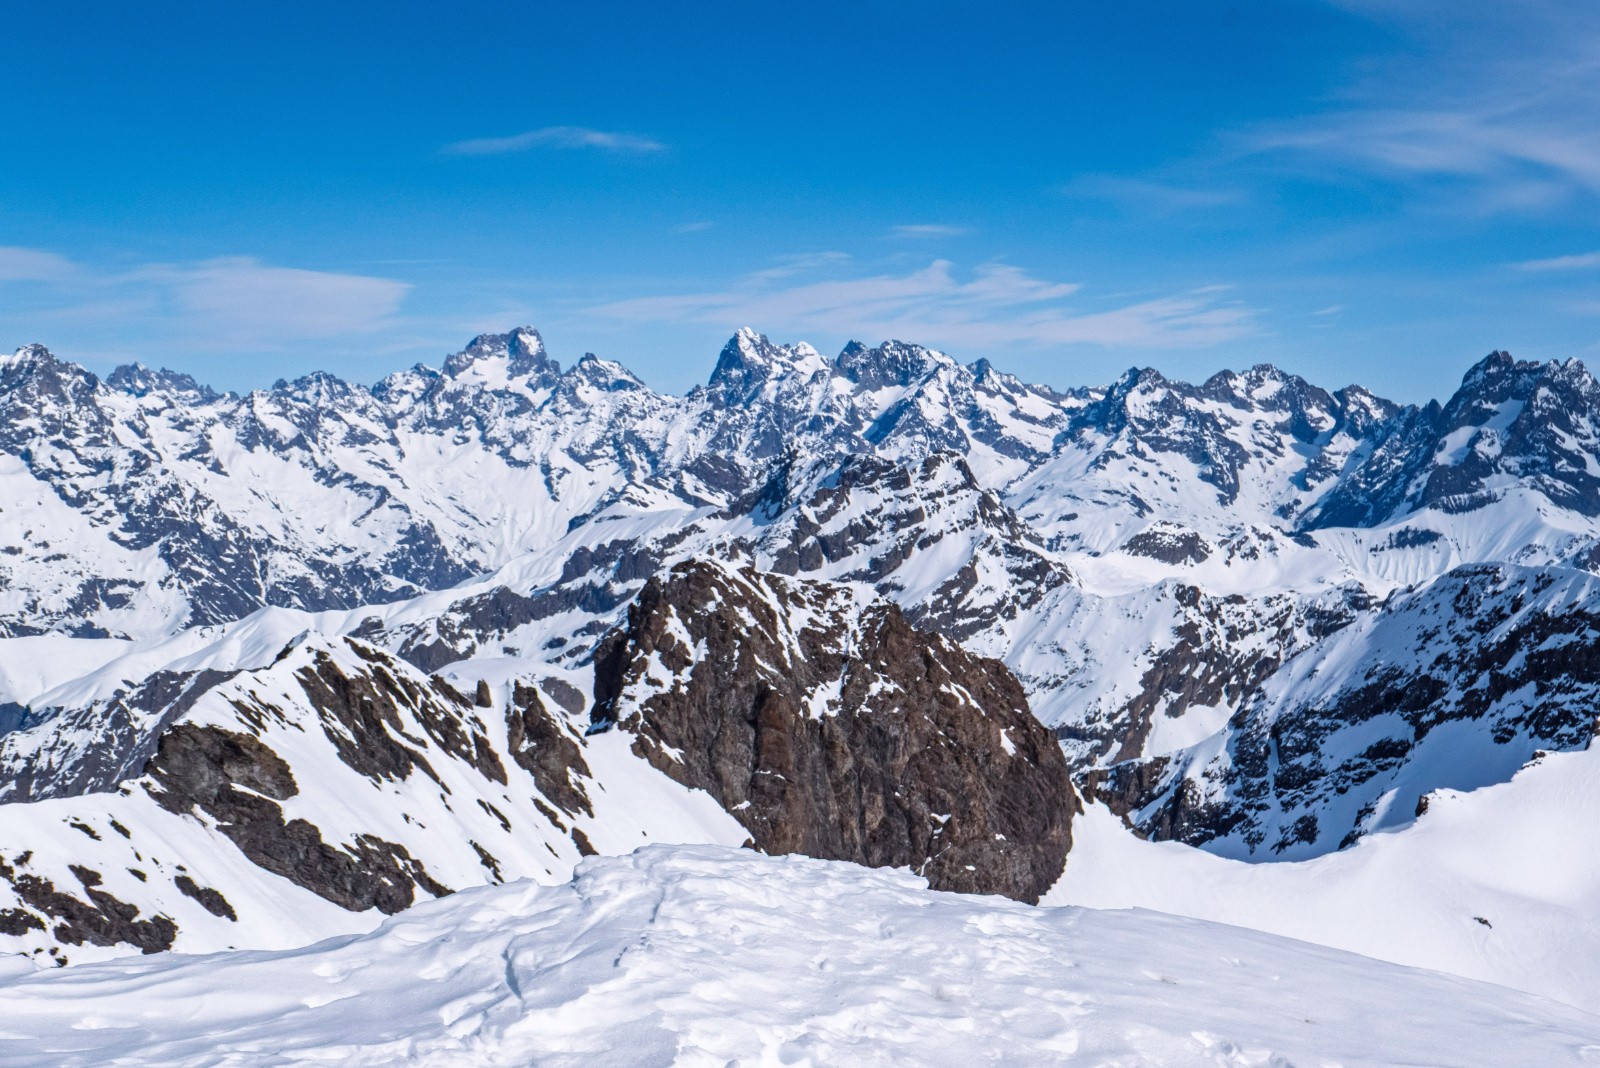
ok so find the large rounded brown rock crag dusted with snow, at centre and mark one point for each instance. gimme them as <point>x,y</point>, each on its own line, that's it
<point>831,728</point>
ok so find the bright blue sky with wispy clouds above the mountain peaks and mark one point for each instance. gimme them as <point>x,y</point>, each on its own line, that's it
<point>1359,191</point>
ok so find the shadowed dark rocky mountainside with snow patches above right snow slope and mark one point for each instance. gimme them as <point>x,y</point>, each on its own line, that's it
<point>1457,685</point>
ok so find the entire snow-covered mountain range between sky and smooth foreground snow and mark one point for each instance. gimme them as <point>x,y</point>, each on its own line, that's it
<point>278,664</point>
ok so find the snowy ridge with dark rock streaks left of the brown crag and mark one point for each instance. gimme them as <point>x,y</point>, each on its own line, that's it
<point>306,799</point>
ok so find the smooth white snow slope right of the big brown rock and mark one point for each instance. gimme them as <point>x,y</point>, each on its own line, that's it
<point>1497,883</point>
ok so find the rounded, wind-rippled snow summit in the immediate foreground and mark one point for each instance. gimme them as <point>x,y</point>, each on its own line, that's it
<point>719,957</point>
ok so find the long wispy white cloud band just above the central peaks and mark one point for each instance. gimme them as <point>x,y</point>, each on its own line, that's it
<point>998,305</point>
